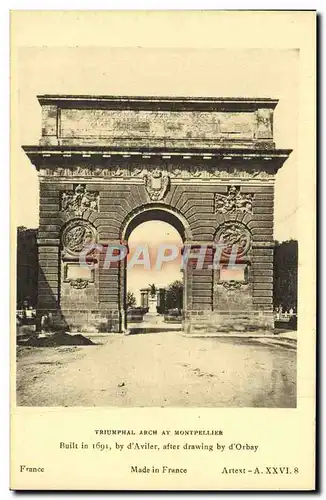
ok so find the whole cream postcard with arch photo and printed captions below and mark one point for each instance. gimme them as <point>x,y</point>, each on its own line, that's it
<point>163,232</point>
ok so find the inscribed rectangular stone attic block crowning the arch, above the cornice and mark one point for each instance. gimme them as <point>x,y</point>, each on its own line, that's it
<point>149,122</point>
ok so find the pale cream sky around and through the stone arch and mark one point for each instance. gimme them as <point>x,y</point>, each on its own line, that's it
<point>154,71</point>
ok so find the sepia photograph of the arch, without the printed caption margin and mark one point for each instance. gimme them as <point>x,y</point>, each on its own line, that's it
<point>157,252</point>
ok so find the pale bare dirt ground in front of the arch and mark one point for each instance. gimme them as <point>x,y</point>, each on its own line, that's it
<point>159,369</point>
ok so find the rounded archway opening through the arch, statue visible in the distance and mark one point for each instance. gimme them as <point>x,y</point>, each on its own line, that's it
<point>154,284</point>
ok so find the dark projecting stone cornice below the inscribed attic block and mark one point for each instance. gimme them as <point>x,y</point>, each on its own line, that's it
<point>97,158</point>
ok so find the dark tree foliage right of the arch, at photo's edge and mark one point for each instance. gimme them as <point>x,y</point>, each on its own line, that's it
<point>286,274</point>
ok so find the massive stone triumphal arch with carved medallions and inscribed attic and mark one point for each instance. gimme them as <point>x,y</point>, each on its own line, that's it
<point>205,165</point>
